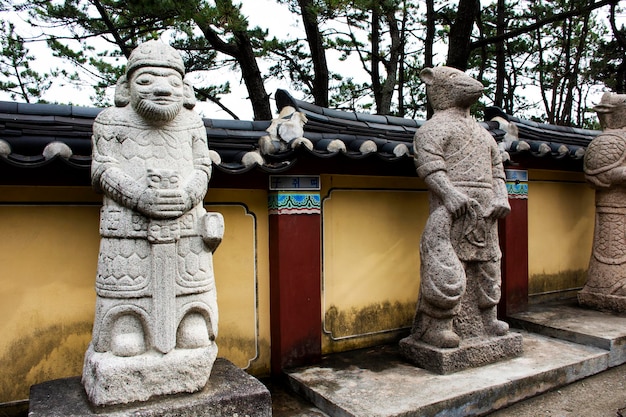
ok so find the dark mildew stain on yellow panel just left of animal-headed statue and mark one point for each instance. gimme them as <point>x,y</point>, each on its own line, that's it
<point>375,317</point>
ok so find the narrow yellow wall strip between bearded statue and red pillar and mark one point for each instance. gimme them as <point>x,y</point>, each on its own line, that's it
<point>242,277</point>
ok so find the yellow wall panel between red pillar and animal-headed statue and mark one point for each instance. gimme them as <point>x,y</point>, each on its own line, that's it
<point>371,233</point>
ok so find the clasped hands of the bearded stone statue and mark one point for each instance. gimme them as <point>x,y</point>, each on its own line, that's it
<point>158,203</point>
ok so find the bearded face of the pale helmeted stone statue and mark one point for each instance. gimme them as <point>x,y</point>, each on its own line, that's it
<point>156,93</point>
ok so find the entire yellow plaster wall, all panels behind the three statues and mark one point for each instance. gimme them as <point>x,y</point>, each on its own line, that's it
<point>371,227</point>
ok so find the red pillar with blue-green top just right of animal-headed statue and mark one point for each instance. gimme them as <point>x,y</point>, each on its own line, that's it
<point>513,231</point>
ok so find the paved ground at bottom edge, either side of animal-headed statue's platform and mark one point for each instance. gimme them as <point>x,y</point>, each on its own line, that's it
<point>601,395</point>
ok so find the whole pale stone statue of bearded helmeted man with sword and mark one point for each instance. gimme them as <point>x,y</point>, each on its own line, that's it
<point>156,308</point>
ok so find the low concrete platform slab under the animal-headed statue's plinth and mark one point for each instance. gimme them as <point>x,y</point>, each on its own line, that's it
<point>379,382</point>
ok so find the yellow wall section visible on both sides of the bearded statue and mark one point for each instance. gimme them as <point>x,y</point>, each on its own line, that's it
<point>48,254</point>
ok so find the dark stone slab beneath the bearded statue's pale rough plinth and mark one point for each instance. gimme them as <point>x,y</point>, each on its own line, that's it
<point>229,392</point>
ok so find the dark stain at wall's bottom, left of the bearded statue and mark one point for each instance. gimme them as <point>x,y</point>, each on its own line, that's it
<point>47,353</point>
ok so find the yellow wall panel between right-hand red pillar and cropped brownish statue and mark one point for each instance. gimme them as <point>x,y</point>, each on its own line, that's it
<point>560,232</point>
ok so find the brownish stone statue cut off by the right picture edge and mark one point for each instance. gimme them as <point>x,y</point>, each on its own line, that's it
<point>605,170</point>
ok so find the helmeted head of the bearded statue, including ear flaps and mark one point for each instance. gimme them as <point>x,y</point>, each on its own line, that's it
<point>154,83</point>
